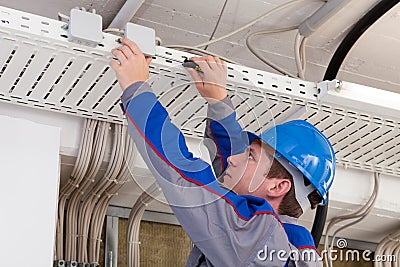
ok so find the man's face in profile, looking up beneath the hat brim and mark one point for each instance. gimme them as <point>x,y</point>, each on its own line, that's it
<point>246,172</point>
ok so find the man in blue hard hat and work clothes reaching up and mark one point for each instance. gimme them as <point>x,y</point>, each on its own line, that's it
<point>239,224</point>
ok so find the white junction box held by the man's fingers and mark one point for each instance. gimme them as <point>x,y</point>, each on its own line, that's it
<point>143,36</point>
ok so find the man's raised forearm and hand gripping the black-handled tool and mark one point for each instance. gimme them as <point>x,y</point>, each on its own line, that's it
<point>223,133</point>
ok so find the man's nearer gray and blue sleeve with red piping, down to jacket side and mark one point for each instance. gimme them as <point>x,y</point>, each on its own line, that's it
<point>230,230</point>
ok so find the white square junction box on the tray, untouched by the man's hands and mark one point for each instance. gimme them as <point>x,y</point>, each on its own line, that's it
<point>85,28</point>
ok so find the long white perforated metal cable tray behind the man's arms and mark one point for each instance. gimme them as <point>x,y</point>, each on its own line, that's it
<point>39,68</point>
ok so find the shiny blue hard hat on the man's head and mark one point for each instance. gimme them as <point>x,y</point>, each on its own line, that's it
<point>306,148</point>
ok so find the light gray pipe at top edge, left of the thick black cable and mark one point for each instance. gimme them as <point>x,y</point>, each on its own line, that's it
<point>321,16</point>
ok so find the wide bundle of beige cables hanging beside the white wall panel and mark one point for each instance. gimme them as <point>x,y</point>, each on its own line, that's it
<point>85,197</point>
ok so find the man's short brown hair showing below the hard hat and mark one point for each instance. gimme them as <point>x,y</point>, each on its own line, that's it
<point>289,205</point>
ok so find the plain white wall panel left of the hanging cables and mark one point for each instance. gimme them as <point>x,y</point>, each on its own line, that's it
<point>29,160</point>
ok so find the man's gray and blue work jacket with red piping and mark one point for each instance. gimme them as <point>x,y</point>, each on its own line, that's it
<point>227,229</point>
